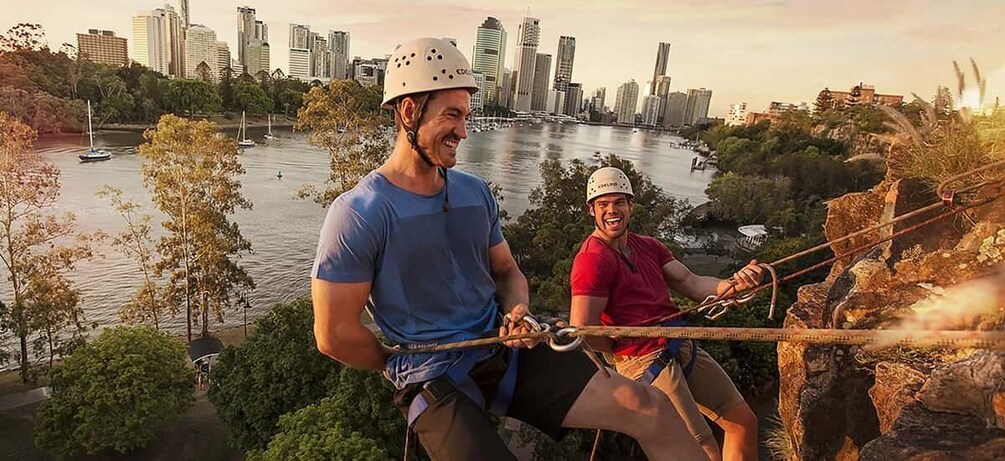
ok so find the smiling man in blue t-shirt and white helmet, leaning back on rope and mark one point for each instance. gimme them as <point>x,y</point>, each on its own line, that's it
<point>420,247</point>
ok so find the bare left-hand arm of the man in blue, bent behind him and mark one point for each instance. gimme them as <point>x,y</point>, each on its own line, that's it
<point>338,330</point>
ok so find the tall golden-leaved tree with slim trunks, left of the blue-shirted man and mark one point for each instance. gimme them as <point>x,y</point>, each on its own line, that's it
<point>192,174</point>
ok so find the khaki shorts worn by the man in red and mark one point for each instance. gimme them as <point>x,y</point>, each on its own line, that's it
<point>707,391</point>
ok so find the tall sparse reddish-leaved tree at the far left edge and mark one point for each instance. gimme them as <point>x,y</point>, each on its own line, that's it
<point>44,299</point>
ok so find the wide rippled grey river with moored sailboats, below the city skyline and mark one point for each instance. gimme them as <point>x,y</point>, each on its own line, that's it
<point>284,230</point>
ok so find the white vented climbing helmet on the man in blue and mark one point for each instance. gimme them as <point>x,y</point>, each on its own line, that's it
<point>427,65</point>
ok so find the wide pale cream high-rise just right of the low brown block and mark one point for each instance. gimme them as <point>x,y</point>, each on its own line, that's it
<point>157,42</point>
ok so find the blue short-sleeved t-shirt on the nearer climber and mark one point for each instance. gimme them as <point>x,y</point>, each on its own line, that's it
<point>430,269</point>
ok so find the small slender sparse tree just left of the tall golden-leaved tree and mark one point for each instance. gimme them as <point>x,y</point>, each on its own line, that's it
<point>135,243</point>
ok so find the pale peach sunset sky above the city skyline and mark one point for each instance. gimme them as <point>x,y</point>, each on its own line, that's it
<point>744,51</point>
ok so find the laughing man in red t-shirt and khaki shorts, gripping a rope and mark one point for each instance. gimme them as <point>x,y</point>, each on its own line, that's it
<point>622,279</point>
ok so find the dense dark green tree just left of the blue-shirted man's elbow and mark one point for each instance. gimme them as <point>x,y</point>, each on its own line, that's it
<point>278,371</point>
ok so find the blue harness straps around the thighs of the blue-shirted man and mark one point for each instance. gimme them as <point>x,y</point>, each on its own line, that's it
<point>460,376</point>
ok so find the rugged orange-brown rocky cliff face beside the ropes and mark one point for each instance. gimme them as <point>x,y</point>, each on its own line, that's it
<point>847,403</point>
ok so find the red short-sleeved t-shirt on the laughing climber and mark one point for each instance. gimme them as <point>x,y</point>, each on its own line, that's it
<point>633,298</point>
